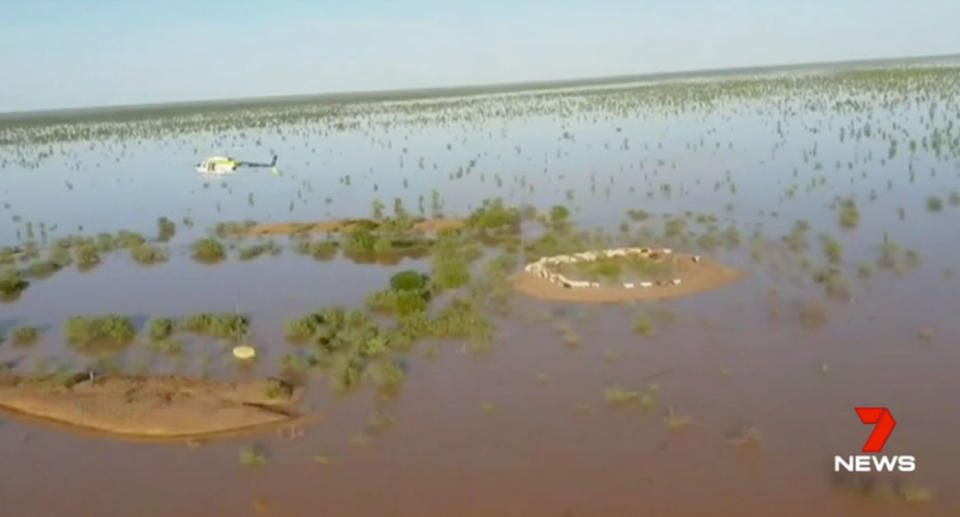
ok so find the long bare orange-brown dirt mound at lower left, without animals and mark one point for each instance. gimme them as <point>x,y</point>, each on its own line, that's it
<point>152,407</point>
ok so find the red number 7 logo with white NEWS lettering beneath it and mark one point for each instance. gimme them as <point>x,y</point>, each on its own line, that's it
<point>883,423</point>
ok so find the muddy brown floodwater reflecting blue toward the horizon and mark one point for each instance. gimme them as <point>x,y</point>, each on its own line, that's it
<point>522,427</point>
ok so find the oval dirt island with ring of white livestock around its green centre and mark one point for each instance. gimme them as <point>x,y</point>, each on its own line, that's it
<point>690,274</point>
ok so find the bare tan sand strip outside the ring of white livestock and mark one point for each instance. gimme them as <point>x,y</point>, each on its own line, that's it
<point>693,274</point>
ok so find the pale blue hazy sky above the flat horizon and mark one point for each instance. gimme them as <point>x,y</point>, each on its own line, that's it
<point>77,53</point>
